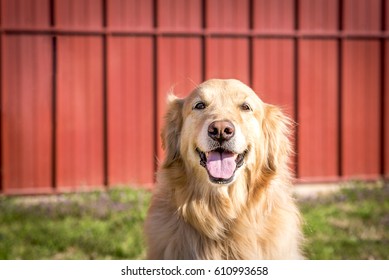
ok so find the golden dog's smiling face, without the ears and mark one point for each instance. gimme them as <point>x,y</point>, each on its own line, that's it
<point>219,128</point>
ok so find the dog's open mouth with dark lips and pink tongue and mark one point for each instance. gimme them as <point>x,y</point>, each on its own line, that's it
<point>221,164</point>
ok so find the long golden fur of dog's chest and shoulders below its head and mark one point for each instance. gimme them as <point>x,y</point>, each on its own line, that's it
<point>222,224</point>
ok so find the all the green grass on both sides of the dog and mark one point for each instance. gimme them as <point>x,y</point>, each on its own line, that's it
<point>350,224</point>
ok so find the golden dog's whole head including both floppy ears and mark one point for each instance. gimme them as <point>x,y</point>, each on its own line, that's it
<point>223,130</point>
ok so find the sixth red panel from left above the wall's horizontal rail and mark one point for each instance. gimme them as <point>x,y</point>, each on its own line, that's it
<point>273,16</point>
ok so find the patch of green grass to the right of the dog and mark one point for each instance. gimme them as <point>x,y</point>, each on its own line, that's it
<point>351,224</point>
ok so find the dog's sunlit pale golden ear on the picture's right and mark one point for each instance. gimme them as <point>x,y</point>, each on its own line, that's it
<point>276,129</point>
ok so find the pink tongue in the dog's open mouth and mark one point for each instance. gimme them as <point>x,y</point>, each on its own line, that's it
<point>221,165</point>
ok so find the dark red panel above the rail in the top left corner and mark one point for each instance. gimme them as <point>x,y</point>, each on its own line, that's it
<point>29,14</point>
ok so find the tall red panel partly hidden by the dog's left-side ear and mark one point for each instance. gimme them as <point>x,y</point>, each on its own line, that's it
<point>179,70</point>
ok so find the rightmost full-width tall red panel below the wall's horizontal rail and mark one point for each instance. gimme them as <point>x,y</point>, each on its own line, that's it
<point>360,109</point>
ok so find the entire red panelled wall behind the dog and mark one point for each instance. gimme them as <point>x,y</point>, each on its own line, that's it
<point>83,84</point>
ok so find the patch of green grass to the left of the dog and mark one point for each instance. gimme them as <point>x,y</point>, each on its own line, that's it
<point>99,225</point>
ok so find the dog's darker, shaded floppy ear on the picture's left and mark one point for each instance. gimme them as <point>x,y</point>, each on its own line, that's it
<point>171,132</point>
